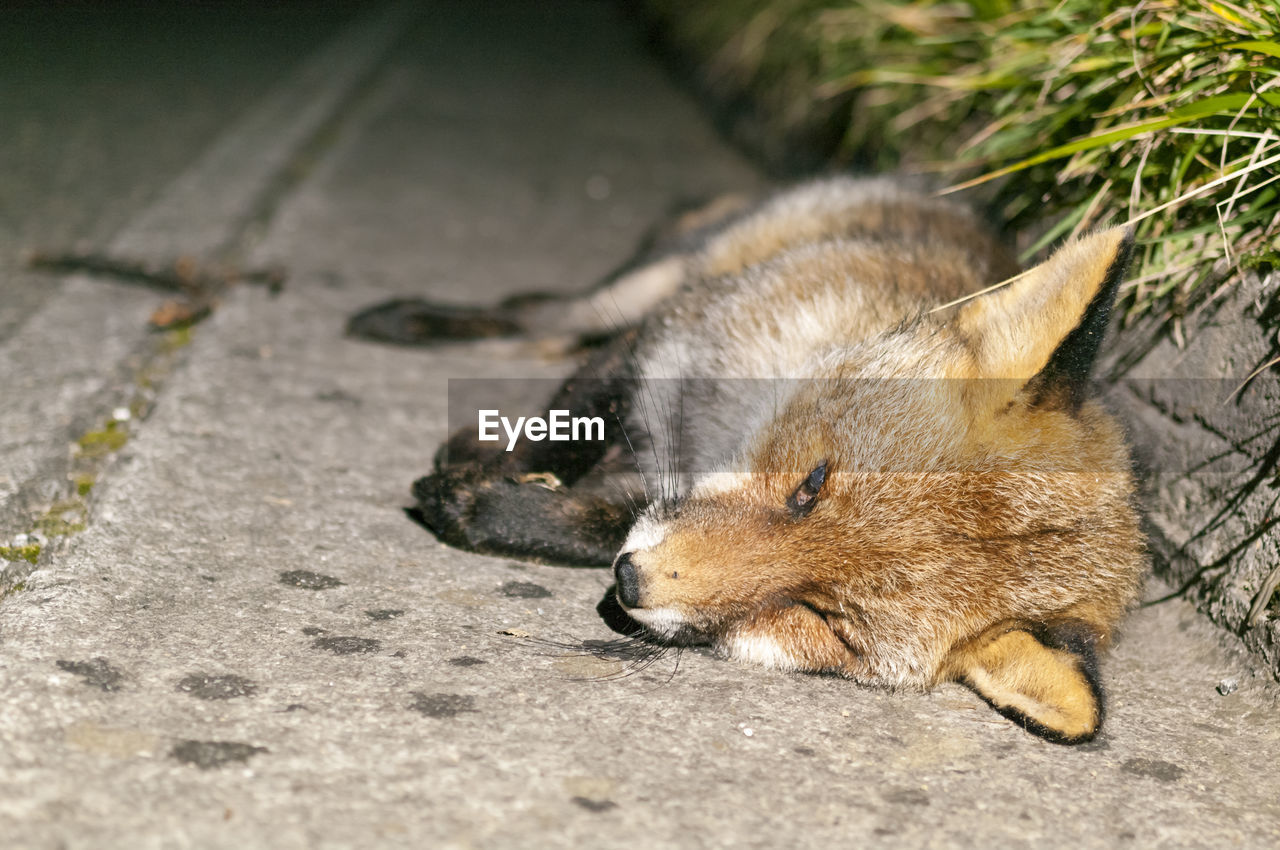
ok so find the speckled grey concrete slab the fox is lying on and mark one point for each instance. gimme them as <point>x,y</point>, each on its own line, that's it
<point>252,646</point>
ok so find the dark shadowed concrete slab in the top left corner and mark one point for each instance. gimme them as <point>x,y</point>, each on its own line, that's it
<point>103,109</point>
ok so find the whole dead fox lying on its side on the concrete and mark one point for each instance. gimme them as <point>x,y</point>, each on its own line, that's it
<point>838,477</point>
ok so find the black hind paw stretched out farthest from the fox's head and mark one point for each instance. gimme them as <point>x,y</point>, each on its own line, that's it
<point>413,322</point>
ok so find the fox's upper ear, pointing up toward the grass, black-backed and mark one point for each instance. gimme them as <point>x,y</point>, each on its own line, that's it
<point>1048,326</point>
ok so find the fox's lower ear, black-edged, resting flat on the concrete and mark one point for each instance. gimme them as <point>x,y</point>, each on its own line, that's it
<point>1044,679</point>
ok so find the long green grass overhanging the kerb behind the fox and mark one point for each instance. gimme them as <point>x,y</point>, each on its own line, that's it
<point>1164,113</point>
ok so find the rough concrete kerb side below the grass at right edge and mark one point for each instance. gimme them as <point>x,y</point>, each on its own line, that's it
<point>1213,440</point>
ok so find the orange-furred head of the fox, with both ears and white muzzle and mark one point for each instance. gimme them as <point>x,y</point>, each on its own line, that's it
<point>941,502</point>
